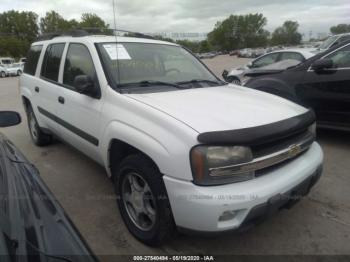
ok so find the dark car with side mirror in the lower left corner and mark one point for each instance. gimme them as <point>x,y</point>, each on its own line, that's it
<point>33,226</point>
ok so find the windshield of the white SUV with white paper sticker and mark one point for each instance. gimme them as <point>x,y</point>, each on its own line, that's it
<point>140,62</point>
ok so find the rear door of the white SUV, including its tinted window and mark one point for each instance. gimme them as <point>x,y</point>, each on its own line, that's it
<point>47,89</point>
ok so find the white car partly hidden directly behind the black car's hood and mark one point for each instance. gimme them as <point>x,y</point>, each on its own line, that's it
<point>236,75</point>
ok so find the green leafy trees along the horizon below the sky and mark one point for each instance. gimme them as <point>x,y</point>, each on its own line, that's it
<point>19,29</point>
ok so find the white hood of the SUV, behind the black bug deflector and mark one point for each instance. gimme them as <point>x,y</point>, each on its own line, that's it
<point>228,107</point>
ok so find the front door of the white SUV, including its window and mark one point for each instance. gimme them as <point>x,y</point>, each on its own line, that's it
<point>80,112</point>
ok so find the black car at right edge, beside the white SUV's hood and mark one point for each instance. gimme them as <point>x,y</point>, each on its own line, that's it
<point>322,83</point>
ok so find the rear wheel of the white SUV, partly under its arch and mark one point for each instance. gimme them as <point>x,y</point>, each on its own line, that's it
<point>38,136</point>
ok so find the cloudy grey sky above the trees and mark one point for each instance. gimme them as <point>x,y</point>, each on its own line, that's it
<point>158,16</point>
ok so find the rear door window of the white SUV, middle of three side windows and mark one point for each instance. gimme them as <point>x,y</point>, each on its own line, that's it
<point>52,60</point>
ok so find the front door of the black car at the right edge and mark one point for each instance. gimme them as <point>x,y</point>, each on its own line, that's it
<point>328,91</point>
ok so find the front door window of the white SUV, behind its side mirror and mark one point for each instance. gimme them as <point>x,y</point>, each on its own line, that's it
<point>78,62</point>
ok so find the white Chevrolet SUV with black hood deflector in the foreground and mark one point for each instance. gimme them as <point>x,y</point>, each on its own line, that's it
<point>184,150</point>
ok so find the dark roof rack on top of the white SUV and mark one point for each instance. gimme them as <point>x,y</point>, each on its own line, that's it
<point>86,31</point>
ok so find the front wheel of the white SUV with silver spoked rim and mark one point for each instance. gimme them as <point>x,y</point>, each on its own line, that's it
<point>143,201</point>
